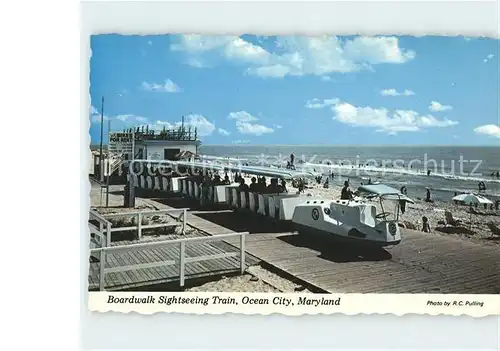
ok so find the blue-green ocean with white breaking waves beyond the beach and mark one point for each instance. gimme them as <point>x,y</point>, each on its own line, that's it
<point>452,168</point>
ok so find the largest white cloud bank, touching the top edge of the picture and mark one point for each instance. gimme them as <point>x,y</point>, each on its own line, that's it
<point>296,56</point>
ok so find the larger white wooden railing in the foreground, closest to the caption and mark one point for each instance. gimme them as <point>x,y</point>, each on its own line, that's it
<point>182,260</point>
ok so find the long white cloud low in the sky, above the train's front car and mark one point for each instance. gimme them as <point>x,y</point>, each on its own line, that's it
<point>385,121</point>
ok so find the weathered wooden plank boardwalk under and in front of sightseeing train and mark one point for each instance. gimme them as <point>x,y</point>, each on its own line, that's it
<point>422,263</point>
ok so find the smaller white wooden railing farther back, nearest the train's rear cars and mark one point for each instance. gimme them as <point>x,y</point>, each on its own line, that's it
<point>139,215</point>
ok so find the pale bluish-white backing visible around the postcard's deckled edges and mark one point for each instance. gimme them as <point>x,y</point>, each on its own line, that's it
<point>136,331</point>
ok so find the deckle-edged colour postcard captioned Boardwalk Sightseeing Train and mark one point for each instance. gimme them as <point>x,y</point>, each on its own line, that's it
<point>294,174</point>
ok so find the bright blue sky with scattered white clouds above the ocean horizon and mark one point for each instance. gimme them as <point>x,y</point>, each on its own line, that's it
<point>290,90</point>
